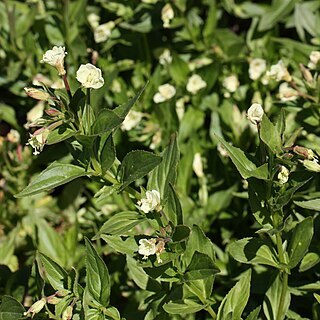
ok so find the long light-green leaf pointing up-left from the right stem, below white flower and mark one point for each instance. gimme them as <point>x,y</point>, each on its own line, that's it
<point>245,167</point>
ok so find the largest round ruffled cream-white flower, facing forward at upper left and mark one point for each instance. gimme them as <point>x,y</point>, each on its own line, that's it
<point>90,76</point>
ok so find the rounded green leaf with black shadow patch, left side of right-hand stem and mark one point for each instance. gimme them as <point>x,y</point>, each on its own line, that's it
<point>253,251</point>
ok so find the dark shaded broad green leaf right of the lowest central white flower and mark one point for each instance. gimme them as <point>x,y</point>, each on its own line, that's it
<point>200,267</point>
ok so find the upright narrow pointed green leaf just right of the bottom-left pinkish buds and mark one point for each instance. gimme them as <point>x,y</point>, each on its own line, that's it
<point>97,279</point>
